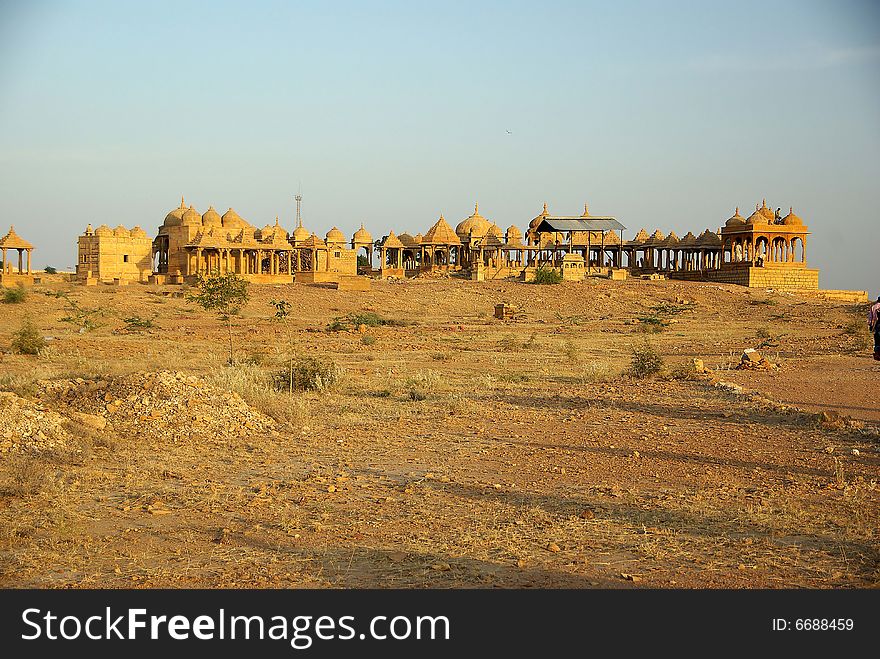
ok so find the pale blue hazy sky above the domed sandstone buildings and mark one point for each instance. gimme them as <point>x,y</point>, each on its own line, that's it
<point>663,114</point>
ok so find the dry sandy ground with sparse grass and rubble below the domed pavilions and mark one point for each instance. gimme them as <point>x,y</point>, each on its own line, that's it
<point>456,450</point>
